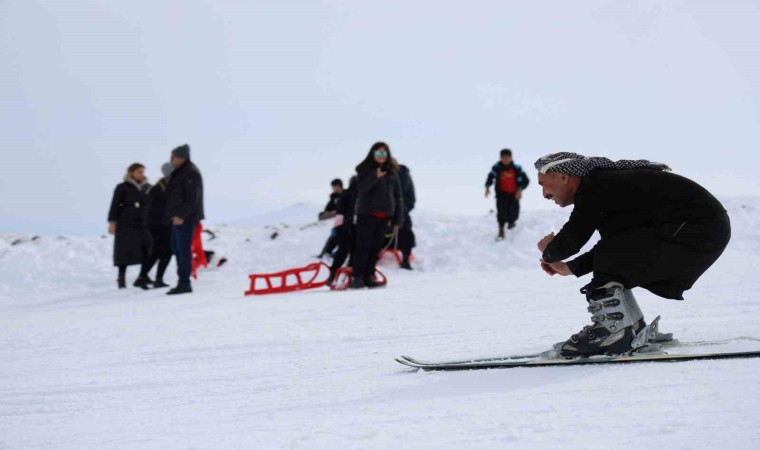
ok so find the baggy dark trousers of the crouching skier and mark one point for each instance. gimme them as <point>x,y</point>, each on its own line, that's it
<point>666,260</point>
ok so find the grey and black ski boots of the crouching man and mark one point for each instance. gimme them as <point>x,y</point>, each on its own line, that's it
<point>616,319</point>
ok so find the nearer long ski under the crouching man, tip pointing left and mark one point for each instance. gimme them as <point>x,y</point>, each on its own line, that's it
<point>506,363</point>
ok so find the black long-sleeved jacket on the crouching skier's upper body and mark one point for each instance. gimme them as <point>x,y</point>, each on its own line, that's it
<point>615,201</point>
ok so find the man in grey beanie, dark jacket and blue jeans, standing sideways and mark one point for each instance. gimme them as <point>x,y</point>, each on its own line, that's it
<point>184,210</point>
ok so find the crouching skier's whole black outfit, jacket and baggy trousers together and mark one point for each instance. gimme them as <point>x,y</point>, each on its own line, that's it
<point>658,230</point>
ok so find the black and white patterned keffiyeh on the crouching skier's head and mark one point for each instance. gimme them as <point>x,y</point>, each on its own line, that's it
<point>579,165</point>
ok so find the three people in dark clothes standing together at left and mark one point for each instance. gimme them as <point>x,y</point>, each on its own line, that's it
<point>152,223</point>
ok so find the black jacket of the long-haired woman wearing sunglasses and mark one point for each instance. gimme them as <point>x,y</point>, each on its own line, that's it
<point>379,195</point>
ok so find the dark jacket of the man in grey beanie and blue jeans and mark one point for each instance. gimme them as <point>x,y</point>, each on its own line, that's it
<point>184,195</point>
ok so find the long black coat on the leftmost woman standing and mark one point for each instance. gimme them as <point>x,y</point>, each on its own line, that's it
<point>129,210</point>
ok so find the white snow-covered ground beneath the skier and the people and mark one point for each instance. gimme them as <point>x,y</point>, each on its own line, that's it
<point>85,366</point>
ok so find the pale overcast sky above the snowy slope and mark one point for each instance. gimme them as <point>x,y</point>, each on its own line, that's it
<point>276,98</point>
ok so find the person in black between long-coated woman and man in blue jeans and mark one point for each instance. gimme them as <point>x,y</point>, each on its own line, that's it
<point>160,231</point>
